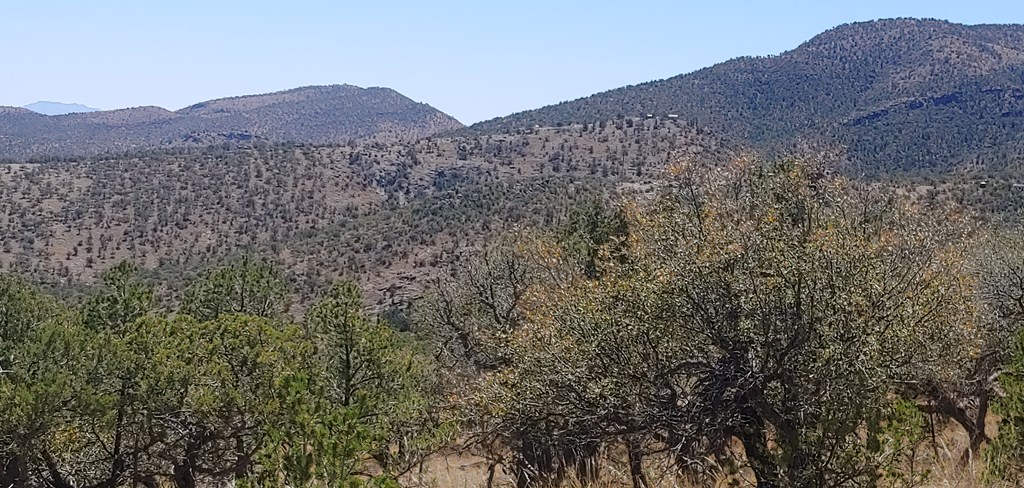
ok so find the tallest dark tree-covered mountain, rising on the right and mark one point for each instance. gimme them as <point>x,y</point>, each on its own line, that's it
<point>899,95</point>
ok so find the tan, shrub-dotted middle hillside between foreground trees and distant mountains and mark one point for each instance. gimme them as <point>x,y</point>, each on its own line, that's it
<point>387,212</point>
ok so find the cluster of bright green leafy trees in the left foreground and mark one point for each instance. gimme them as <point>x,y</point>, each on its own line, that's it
<point>115,393</point>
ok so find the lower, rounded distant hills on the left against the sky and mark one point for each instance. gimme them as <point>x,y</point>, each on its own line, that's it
<point>318,115</point>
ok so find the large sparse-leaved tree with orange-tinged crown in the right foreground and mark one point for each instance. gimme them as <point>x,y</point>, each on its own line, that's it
<point>766,303</point>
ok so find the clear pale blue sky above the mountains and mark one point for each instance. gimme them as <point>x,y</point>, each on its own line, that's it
<point>474,60</point>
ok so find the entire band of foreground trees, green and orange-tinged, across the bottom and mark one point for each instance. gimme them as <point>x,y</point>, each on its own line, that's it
<point>763,324</point>
